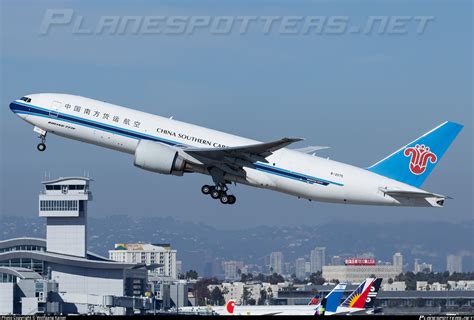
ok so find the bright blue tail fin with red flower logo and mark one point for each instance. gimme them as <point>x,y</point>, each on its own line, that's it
<point>413,163</point>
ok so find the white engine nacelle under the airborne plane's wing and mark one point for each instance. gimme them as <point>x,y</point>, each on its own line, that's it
<point>157,157</point>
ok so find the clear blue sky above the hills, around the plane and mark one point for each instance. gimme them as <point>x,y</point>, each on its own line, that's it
<point>363,95</point>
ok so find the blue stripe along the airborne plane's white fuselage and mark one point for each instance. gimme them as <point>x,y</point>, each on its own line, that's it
<point>21,108</point>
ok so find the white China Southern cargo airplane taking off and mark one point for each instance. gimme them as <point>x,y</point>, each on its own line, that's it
<point>167,146</point>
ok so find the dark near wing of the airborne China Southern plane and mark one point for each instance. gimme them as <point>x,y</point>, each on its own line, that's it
<point>233,159</point>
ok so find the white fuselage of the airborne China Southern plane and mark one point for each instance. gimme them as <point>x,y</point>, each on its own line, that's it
<point>287,171</point>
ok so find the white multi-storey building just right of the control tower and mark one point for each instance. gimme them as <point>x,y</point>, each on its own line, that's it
<point>150,254</point>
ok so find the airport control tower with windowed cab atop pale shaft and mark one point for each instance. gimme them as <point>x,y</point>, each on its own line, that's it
<point>64,204</point>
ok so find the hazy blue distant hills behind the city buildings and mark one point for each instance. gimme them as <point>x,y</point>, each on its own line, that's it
<point>200,243</point>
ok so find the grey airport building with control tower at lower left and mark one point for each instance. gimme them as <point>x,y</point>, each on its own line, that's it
<point>78,281</point>
